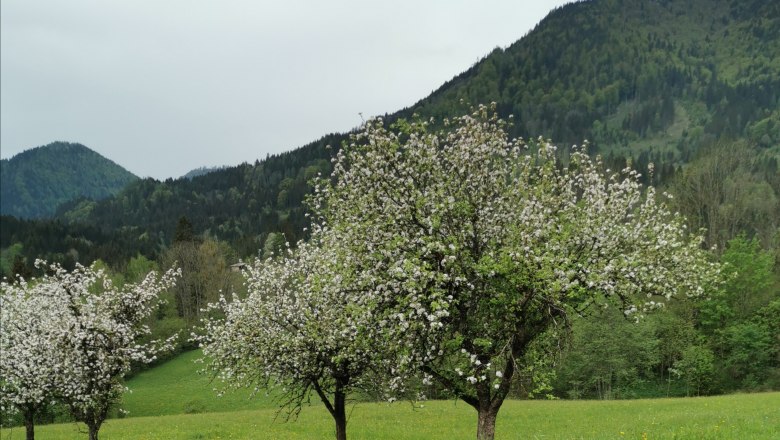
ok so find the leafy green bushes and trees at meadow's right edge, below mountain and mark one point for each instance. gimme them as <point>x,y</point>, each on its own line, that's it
<point>724,342</point>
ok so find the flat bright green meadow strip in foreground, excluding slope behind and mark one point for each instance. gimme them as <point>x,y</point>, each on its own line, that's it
<point>743,416</point>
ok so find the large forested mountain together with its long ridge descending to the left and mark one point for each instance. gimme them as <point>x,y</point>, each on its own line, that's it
<point>644,81</point>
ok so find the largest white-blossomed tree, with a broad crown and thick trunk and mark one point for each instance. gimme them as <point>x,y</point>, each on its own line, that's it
<point>472,246</point>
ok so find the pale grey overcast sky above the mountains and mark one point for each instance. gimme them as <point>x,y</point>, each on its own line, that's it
<point>162,87</point>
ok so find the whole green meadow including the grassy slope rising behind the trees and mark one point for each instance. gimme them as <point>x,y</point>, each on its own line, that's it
<point>161,396</point>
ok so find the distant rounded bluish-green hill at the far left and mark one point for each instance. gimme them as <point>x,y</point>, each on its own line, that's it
<point>35,182</point>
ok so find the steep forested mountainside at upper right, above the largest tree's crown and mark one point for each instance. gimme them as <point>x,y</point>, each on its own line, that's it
<point>633,77</point>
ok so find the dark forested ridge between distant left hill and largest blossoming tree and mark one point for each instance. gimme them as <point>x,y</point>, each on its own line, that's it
<point>242,204</point>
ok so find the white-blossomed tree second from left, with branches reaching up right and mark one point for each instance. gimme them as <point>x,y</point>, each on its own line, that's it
<point>99,337</point>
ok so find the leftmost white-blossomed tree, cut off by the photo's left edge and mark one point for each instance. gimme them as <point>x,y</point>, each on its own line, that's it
<point>27,344</point>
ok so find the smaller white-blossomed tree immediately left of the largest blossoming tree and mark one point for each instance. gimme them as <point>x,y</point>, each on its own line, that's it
<point>305,328</point>
